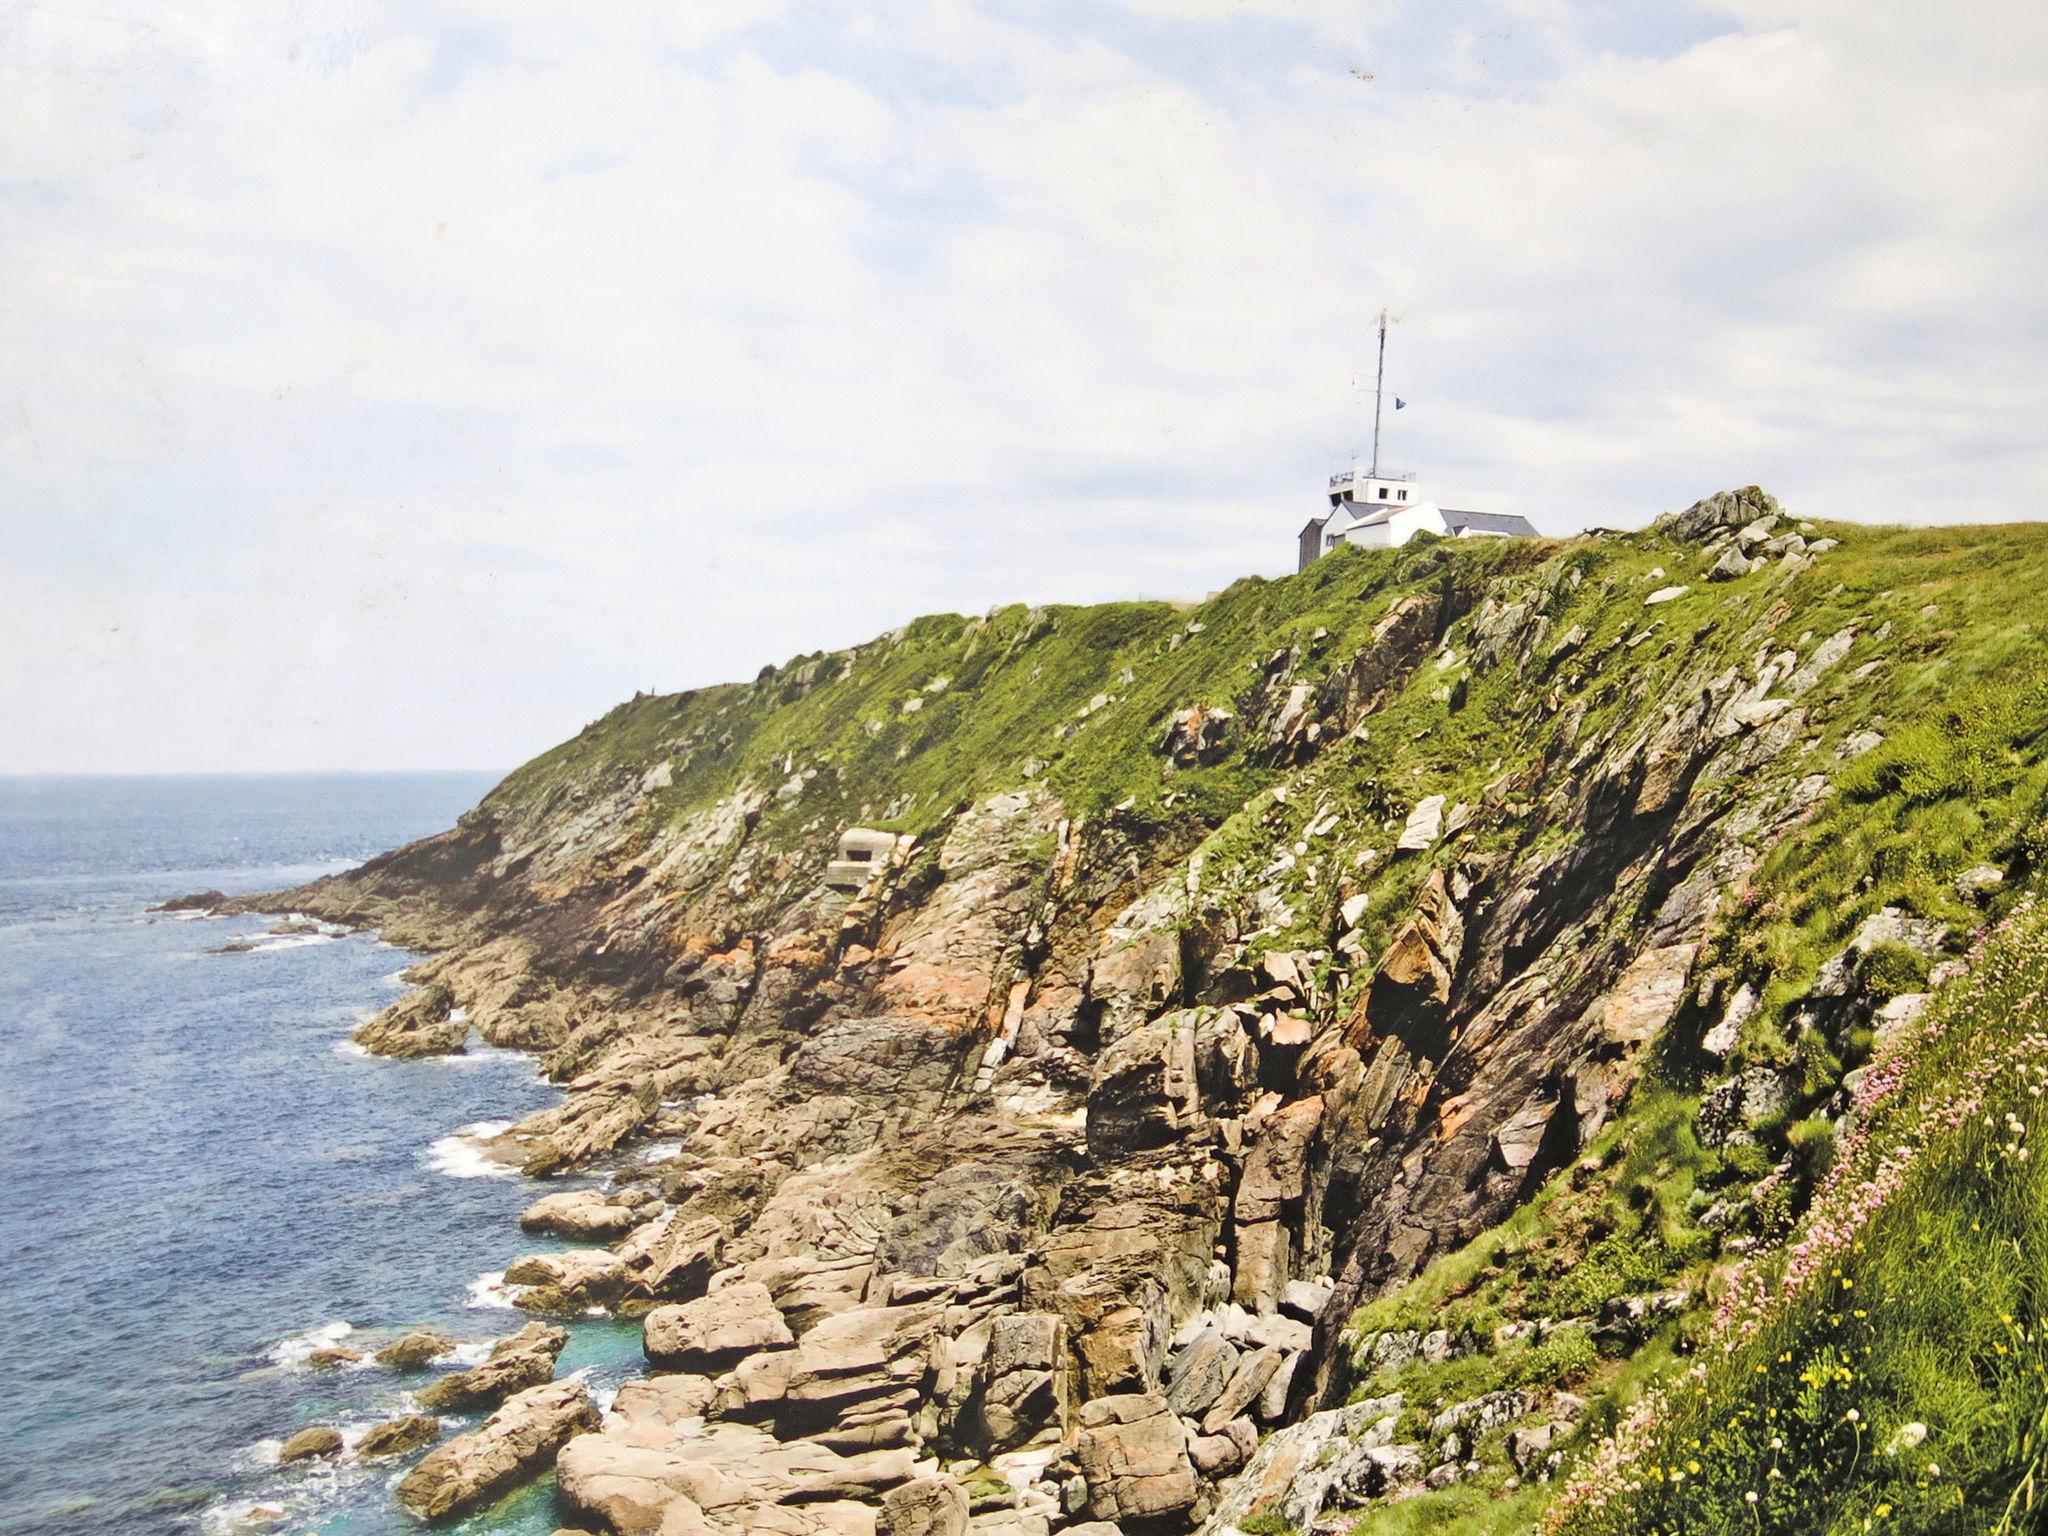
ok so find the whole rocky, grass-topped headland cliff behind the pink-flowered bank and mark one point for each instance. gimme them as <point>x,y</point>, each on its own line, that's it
<point>1132,1150</point>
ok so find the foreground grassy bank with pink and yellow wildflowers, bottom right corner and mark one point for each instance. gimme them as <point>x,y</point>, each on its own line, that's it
<point>1906,1388</point>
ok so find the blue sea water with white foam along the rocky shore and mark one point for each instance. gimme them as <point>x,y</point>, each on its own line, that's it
<point>200,1179</point>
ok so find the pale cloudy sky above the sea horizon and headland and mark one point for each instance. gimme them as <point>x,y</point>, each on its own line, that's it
<point>402,384</point>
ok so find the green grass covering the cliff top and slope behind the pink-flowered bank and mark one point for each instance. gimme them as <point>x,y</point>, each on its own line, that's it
<point>1949,665</point>
